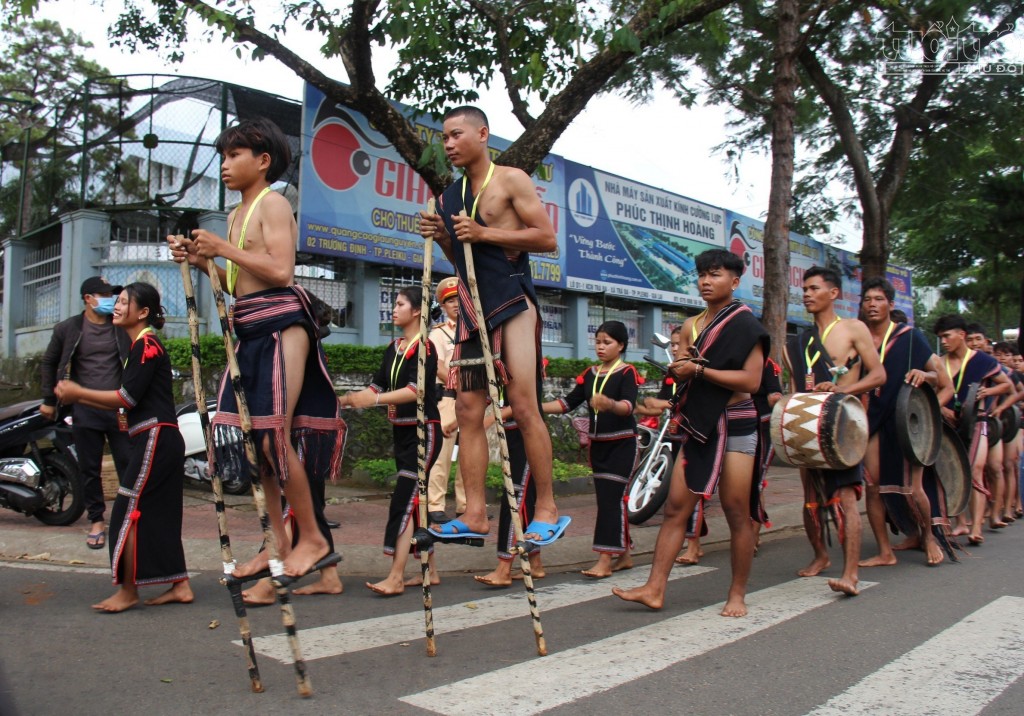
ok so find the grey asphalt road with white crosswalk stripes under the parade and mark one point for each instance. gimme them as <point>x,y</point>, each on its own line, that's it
<point>920,641</point>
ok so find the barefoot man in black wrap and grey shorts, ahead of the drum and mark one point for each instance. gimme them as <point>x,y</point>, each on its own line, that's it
<point>735,346</point>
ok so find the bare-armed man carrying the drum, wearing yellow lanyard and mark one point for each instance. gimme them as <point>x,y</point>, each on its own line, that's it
<point>835,356</point>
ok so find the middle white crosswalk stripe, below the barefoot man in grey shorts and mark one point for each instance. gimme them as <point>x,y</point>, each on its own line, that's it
<point>603,665</point>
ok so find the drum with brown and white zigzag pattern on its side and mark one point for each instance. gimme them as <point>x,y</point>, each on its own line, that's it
<point>824,431</point>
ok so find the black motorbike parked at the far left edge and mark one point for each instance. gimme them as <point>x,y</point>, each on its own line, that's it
<point>39,480</point>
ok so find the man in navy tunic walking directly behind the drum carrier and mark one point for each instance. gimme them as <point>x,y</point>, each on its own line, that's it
<point>908,359</point>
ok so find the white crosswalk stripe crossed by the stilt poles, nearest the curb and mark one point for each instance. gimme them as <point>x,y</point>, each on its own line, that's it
<point>337,640</point>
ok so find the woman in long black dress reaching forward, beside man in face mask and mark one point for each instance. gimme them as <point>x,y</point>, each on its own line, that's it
<point>146,523</point>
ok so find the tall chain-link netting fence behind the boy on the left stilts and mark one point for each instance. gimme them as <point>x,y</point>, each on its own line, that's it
<point>138,142</point>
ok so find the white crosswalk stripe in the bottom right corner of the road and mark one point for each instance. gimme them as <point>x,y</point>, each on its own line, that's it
<point>957,672</point>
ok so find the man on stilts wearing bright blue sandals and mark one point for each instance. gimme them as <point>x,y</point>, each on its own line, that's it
<point>497,212</point>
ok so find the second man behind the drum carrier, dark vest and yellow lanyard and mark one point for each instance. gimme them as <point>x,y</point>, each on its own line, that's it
<point>967,367</point>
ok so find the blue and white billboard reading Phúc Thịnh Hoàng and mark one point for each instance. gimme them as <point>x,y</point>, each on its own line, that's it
<point>628,239</point>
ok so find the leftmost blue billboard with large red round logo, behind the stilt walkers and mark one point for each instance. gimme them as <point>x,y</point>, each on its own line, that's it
<point>360,199</point>
